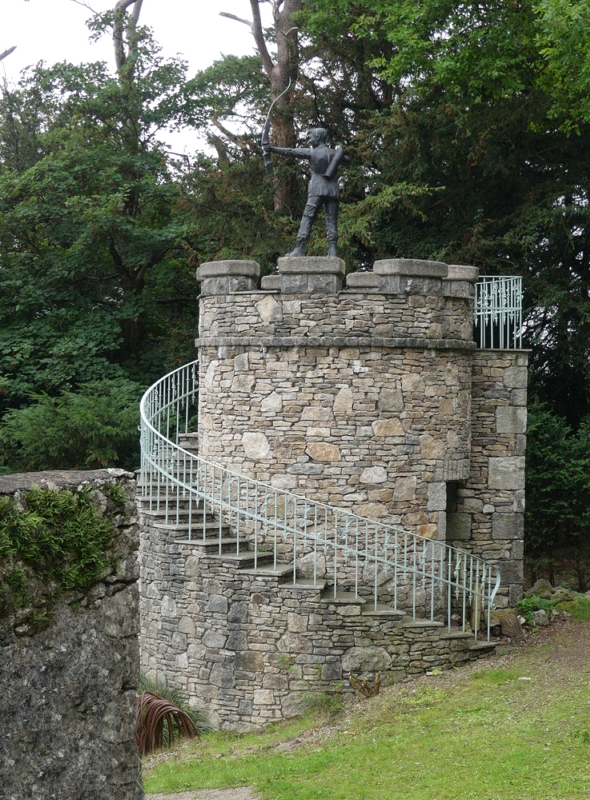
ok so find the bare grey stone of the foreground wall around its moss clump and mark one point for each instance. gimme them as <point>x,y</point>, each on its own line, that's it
<point>67,706</point>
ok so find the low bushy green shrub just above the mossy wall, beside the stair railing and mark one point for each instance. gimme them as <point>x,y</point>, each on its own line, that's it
<point>91,428</point>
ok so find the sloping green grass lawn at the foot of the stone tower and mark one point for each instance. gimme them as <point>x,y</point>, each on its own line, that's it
<point>481,734</point>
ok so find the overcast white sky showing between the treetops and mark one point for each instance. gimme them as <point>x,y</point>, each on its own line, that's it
<point>55,30</point>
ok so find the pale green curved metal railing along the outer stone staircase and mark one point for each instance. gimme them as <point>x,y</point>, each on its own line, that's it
<point>428,579</point>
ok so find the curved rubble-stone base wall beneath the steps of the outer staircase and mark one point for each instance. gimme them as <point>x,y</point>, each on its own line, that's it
<point>249,648</point>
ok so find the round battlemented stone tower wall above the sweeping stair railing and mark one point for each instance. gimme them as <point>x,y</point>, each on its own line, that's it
<point>359,397</point>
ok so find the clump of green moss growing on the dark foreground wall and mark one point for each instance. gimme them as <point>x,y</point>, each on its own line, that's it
<point>57,541</point>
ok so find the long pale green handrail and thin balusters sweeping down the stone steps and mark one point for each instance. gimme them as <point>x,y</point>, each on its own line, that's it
<point>167,460</point>
